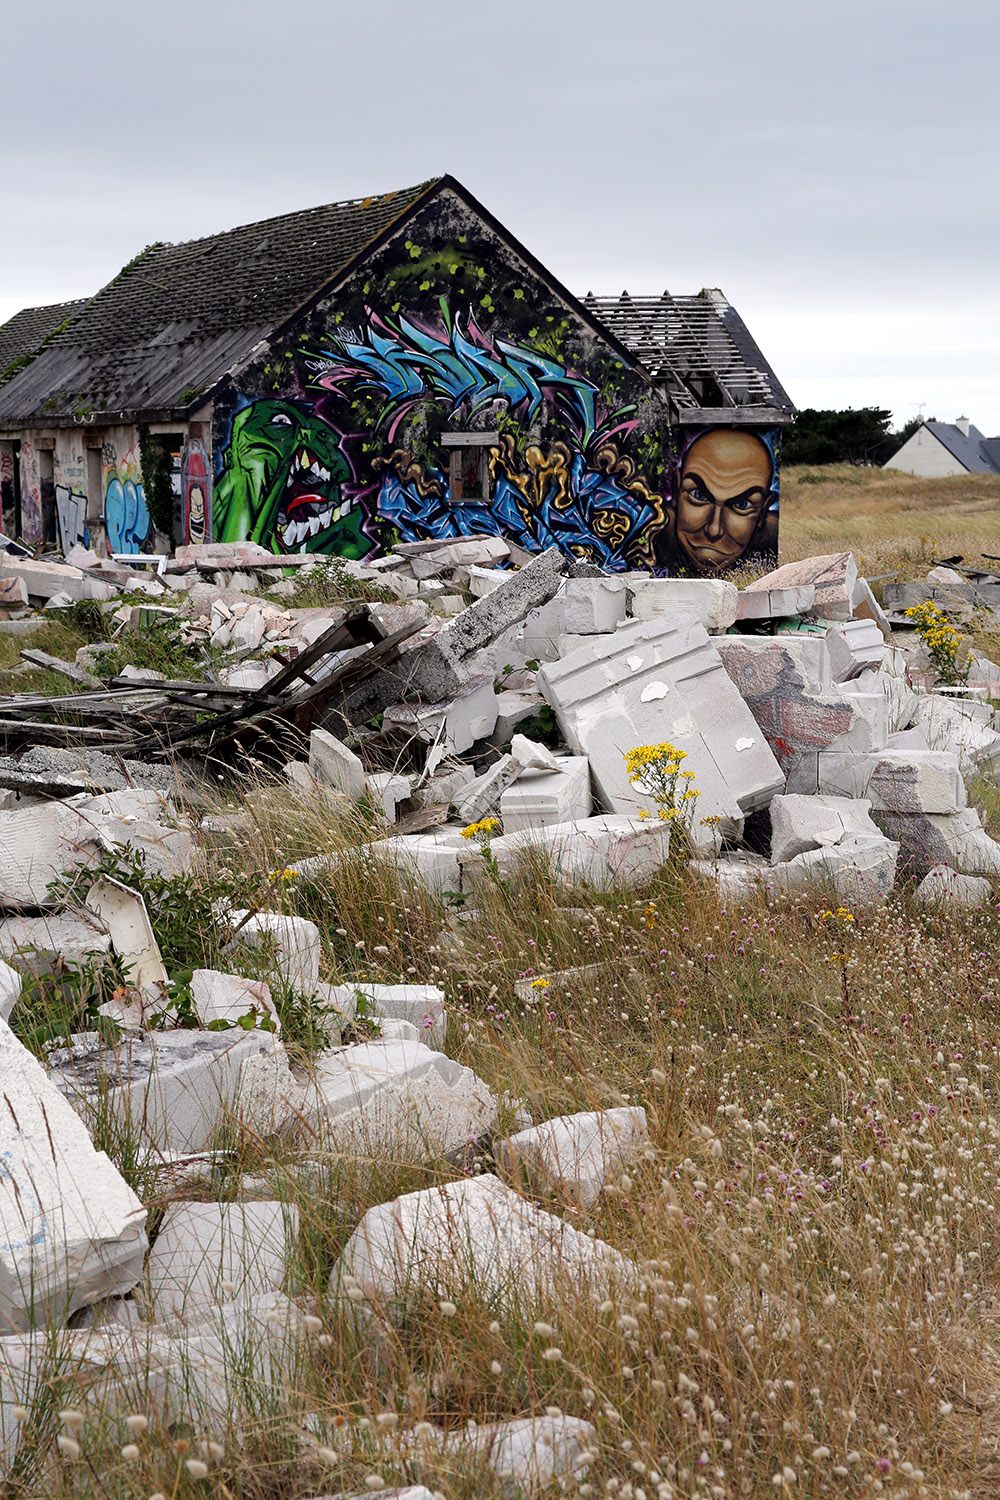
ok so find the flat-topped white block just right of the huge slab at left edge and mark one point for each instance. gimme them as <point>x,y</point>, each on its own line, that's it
<point>175,1091</point>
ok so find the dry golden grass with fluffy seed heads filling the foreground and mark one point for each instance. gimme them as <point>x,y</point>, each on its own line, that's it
<point>815,1219</point>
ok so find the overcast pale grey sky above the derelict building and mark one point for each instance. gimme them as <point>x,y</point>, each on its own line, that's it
<point>830,164</point>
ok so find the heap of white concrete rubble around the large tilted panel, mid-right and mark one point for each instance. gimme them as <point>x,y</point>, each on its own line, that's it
<point>822,751</point>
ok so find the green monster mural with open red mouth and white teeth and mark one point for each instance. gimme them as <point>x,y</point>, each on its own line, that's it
<point>283,485</point>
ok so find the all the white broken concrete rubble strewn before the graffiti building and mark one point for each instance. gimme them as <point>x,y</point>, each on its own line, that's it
<point>824,755</point>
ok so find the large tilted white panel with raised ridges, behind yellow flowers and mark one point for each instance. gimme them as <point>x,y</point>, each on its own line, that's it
<point>653,682</point>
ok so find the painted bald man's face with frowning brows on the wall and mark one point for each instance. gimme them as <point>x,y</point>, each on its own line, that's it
<point>725,488</point>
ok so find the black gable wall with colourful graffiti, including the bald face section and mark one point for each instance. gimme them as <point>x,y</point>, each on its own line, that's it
<point>449,391</point>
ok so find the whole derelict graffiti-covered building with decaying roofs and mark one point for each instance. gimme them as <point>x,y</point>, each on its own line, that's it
<point>395,368</point>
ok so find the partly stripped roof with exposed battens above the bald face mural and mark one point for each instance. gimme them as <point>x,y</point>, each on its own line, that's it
<point>698,347</point>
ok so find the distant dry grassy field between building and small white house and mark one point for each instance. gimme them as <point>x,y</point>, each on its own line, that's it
<point>890,521</point>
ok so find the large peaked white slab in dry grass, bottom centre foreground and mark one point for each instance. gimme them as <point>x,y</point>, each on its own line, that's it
<point>476,1234</point>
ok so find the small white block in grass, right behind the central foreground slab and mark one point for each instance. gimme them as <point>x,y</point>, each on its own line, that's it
<point>576,1154</point>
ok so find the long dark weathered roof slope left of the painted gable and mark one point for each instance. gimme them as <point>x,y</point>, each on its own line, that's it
<point>178,317</point>
